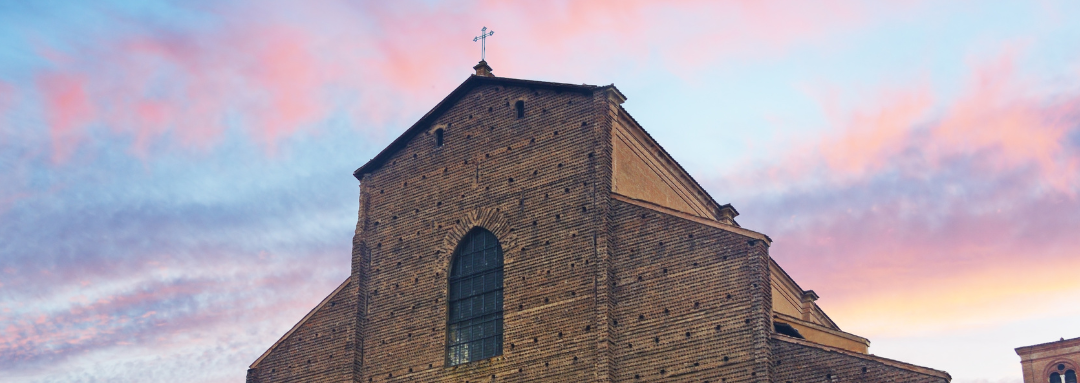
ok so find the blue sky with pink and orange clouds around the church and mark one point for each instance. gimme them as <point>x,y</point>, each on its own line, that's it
<point>177,188</point>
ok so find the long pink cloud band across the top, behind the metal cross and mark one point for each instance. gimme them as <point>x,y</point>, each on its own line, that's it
<point>283,70</point>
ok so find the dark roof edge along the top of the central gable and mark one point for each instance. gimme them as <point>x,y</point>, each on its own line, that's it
<point>451,100</point>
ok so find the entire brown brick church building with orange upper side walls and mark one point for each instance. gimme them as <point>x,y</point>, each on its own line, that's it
<point>529,231</point>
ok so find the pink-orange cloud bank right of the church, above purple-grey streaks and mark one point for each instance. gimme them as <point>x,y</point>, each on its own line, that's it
<point>998,120</point>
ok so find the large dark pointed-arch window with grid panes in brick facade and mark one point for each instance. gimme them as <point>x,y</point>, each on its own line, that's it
<point>475,321</point>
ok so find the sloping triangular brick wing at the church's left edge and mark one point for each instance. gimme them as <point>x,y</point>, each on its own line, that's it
<point>321,350</point>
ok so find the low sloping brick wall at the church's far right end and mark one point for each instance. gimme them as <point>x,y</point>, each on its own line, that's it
<point>798,362</point>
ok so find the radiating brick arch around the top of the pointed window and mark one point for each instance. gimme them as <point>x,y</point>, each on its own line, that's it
<point>488,218</point>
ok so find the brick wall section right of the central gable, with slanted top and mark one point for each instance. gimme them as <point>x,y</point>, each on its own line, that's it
<point>691,300</point>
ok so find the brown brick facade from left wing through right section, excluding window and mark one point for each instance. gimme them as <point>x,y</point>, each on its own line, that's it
<point>599,288</point>
